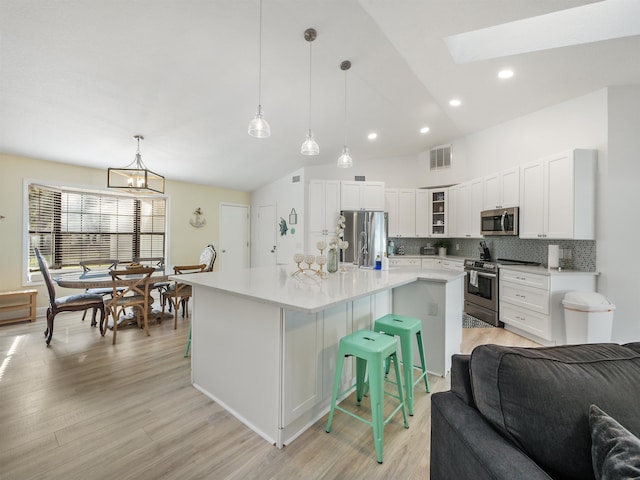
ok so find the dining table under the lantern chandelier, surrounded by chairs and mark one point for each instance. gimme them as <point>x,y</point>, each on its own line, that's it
<point>102,279</point>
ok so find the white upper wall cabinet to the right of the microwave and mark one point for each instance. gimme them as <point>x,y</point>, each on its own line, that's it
<point>557,196</point>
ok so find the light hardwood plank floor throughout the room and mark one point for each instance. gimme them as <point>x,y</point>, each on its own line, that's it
<point>86,409</point>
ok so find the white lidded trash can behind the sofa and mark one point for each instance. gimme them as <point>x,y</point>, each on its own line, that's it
<point>588,317</point>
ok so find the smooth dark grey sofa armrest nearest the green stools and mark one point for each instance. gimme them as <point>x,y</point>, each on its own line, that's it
<point>465,446</point>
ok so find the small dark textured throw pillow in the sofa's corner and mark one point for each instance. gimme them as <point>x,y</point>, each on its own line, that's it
<point>615,451</point>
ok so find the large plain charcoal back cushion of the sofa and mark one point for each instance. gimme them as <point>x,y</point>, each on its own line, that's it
<point>540,397</point>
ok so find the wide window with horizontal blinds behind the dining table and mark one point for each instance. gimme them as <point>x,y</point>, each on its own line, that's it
<point>69,226</point>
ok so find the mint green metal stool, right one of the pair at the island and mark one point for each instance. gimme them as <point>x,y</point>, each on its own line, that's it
<point>406,328</point>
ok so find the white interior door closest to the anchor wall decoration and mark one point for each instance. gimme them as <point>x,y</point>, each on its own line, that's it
<point>234,237</point>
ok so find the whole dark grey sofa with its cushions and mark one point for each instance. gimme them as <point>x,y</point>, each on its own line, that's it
<point>539,413</point>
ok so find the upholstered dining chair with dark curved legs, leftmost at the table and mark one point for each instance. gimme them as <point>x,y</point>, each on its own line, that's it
<point>70,303</point>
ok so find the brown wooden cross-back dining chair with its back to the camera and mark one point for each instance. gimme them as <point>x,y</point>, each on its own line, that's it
<point>130,288</point>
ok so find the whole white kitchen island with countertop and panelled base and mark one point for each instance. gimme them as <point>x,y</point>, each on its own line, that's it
<point>264,341</point>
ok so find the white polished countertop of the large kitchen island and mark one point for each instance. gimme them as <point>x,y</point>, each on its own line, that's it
<point>310,293</point>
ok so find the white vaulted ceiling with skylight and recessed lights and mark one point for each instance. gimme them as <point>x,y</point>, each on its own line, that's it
<point>80,78</point>
